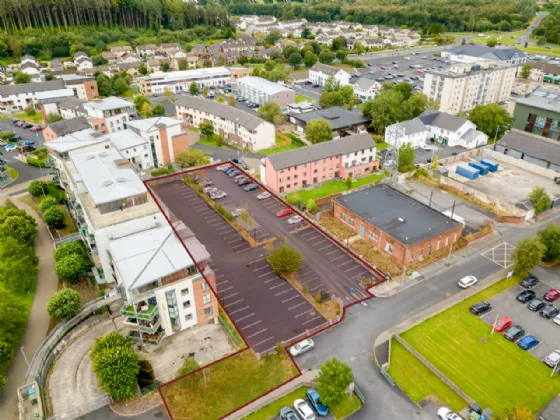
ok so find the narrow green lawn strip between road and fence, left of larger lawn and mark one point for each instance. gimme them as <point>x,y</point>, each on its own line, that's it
<point>418,381</point>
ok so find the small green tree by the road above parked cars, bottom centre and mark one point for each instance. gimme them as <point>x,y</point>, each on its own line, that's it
<point>333,381</point>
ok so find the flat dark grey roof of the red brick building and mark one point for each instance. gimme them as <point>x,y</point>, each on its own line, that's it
<point>397,214</point>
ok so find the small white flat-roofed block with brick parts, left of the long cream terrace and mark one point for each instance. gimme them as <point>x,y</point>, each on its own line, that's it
<point>108,115</point>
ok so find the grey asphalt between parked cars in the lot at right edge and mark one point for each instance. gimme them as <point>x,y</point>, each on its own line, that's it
<point>544,329</point>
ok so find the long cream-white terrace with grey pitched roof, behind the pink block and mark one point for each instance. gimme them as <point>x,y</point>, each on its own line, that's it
<point>243,128</point>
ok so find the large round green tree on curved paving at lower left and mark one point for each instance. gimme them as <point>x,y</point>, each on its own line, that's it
<point>116,366</point>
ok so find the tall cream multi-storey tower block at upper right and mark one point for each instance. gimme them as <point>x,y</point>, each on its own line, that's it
<point>463,86</point>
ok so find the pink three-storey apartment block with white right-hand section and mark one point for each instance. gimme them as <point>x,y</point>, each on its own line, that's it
<point>352,156</point>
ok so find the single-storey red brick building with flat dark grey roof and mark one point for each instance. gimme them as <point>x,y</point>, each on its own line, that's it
<point>396,223</point>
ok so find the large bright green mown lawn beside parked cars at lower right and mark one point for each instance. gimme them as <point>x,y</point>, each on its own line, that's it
<point>489,369</point>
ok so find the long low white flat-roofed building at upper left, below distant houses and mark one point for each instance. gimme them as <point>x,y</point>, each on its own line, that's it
<point>179,81</point>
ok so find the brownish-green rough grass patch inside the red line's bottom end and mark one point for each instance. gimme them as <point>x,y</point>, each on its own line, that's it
<point>220,388</point>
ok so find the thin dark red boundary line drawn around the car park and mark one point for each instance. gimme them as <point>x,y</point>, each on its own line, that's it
<point>332,239</point>
